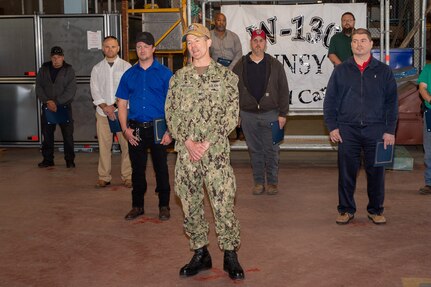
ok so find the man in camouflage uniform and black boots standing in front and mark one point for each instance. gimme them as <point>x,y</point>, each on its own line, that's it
<point>201,110</point>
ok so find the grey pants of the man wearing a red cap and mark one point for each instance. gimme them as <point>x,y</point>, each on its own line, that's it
<point>263,154</point>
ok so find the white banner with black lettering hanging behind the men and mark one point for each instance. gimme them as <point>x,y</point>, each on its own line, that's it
<point>298,36</point>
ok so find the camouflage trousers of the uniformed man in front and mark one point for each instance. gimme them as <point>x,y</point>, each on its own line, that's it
<point>213,170</point>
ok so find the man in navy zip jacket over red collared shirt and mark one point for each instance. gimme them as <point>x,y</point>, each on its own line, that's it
<point>360,109</point>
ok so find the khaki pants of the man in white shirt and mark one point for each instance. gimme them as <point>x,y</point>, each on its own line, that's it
<point>105,139</point>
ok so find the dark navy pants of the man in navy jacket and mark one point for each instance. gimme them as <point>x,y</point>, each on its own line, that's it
<point>358,139</point>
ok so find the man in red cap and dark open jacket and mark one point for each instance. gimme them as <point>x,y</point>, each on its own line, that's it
<point>263,99</point>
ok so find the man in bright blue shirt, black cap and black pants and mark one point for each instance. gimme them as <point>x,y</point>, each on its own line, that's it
<point>144,88</point>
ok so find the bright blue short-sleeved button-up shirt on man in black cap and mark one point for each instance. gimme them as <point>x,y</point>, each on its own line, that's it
<point>146,91</point>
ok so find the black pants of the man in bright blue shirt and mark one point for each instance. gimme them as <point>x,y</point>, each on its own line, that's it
<point>138,158</point>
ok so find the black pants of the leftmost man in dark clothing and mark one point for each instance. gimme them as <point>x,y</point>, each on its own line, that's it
<point>48,138</point>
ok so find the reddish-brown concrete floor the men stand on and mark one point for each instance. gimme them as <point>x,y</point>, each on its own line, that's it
<point>56,229</point>
